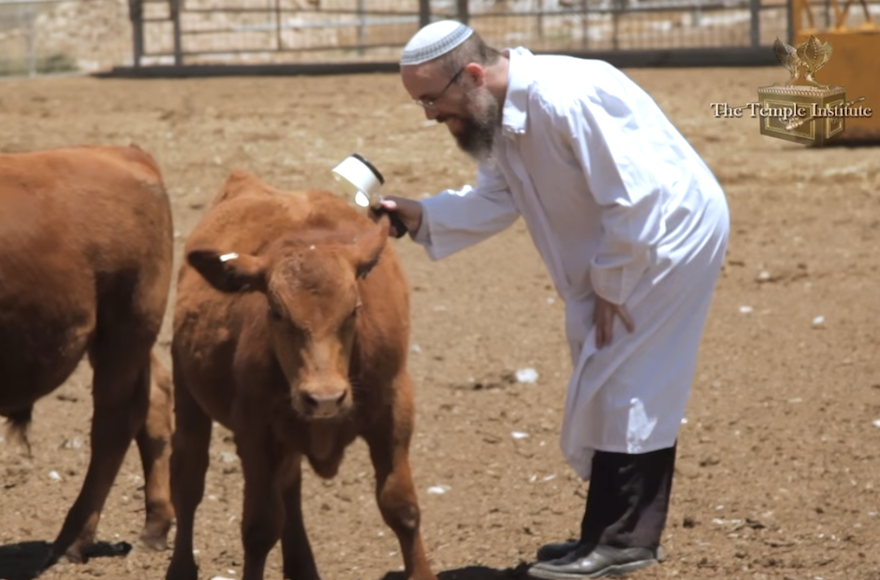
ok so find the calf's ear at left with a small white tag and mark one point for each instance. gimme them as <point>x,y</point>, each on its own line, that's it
<point>230,272</point>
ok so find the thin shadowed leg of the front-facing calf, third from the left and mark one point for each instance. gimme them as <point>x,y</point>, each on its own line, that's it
<point>299,562</point>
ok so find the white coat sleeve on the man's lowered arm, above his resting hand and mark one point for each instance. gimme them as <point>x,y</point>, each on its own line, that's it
<point>605,142</point>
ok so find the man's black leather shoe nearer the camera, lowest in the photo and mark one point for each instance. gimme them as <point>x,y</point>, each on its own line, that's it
<point>602,562</point>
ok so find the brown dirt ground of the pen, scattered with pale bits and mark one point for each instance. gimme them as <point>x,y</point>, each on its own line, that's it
<point>778,473</point>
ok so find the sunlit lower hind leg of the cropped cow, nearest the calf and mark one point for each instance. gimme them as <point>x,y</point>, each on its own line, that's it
<point>154,445</point>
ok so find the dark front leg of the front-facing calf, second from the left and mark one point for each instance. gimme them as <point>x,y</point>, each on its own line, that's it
<point>263,514</point>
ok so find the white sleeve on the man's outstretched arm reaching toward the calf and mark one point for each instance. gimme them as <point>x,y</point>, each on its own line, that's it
<point>453,220</point>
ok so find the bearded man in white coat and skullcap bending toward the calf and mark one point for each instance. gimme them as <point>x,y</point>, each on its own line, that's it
<point>633,228</point>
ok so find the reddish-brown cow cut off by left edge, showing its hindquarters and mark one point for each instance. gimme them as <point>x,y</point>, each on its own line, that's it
<point>86,237</point>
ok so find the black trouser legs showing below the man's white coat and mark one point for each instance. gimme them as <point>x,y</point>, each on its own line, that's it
<point>628,499</point>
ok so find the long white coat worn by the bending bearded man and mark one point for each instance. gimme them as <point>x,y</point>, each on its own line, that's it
<point>618,204</point>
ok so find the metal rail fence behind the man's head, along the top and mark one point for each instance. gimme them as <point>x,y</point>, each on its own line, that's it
<point>185,32</point>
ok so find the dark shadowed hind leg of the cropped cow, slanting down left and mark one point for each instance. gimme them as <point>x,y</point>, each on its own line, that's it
<point>120,395</point>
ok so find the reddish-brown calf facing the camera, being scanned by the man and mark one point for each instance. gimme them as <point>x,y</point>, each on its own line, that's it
<point>281,336</point>
